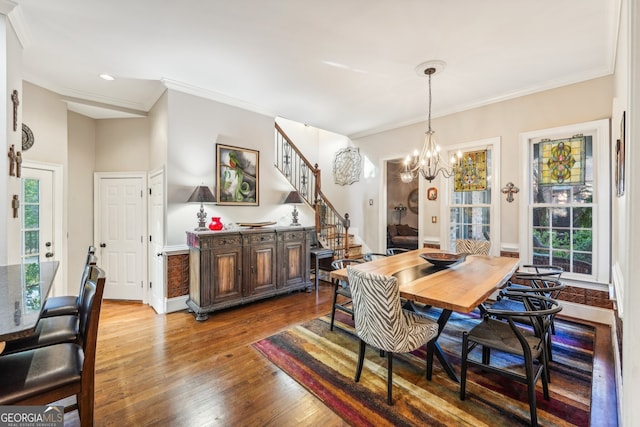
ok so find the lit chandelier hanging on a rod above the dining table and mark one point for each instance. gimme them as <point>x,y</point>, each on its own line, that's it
<point>429,162</point>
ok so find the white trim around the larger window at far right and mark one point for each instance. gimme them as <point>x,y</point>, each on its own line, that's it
<point>600,129</point>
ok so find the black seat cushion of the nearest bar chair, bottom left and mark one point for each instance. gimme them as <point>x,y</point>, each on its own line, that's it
<point>30,373</point>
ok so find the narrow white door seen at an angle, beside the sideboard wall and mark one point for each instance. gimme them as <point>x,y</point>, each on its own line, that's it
<point>156,242</point>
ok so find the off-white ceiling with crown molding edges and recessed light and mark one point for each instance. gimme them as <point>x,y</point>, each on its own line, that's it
<point>346,66</point>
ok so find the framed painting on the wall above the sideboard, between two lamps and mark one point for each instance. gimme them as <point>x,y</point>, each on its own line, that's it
<point>237,176</point>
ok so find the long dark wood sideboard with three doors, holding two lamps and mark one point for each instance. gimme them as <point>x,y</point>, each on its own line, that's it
<point>228,268</point>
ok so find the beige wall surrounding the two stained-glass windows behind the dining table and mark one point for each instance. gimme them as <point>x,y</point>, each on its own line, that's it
<point>576,103</point>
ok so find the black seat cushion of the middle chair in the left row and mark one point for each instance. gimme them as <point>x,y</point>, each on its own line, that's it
<point>51,330</point>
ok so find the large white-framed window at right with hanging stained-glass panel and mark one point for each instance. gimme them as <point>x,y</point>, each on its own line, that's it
<point>566,200</point>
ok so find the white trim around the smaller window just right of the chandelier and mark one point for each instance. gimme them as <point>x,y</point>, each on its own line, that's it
<point>494,208</point>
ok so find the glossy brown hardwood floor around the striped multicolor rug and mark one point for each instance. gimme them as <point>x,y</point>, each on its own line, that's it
<point>170,370</point>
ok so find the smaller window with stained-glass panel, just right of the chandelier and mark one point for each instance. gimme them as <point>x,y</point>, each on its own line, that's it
<point>472,208</point>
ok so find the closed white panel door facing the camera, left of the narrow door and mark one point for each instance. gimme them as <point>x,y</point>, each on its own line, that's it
<point>120,212</point>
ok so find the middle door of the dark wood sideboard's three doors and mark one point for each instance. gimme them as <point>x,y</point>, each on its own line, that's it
<point>261,265</point>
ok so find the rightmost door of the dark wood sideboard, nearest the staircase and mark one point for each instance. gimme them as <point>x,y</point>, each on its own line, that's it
<point>295,270</point>
